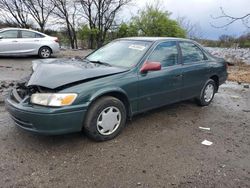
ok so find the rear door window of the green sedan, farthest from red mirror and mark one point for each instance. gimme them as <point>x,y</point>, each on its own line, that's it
<point>191,53</point>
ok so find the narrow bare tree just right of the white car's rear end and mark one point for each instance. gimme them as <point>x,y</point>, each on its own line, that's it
<point>66,12</point>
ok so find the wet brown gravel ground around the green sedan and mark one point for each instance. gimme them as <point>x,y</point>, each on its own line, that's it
<point>160,148</point>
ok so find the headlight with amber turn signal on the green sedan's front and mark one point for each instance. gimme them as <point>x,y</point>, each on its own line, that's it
<point>53,99</point>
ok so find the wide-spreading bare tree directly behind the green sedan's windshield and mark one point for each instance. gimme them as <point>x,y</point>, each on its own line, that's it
<point>100,15</point>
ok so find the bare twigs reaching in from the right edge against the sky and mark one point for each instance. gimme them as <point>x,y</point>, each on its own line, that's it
<point>231,19</point>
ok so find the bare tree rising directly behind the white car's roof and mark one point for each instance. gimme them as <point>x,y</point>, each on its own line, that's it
<point>40,10</point>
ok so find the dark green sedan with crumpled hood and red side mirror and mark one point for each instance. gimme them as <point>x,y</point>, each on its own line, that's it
<point>98,93</point>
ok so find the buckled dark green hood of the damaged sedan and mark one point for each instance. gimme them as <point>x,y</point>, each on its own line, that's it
<point>60,72</point>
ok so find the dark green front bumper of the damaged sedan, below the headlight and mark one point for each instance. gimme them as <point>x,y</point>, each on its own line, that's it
<point>45,120</point>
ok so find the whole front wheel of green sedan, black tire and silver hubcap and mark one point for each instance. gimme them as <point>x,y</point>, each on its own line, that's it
<point>105,119</point>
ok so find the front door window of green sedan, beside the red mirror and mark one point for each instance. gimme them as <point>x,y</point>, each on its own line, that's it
<point>166,53</point>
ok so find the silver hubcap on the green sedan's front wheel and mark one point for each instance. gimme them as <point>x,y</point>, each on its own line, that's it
<point>109,120</point>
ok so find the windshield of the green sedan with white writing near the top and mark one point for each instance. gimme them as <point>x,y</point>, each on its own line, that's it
<point>124,53</point>
